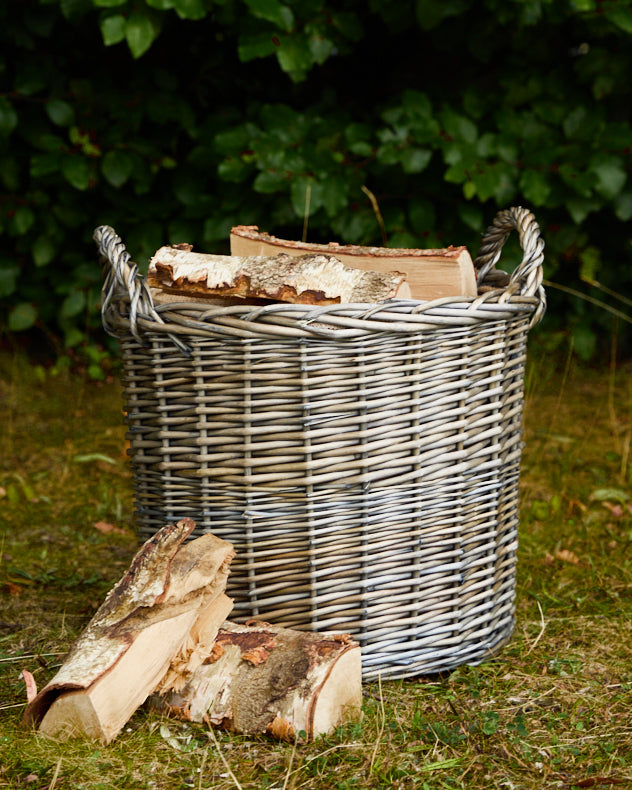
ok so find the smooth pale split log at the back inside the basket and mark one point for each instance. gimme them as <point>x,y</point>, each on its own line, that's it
<point>431,274</point>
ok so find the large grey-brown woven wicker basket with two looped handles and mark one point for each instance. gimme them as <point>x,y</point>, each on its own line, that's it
<point>363,459</point>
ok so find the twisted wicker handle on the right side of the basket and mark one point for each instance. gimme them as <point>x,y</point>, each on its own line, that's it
<point>526,280</point>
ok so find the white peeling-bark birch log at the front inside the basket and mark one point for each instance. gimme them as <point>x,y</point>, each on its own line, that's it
<point>306,279</point>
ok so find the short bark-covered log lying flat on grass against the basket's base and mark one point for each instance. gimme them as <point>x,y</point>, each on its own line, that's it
<point>263,679</point>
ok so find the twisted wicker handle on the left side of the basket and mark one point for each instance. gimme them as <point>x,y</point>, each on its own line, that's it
<point>124,283</point>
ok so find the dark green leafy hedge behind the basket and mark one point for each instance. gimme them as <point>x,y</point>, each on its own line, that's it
<point>174,119</point>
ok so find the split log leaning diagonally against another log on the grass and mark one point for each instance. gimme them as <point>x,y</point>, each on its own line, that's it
<point>165,611</point>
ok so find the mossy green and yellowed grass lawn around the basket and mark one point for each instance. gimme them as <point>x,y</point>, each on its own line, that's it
<point>553,709</point>
